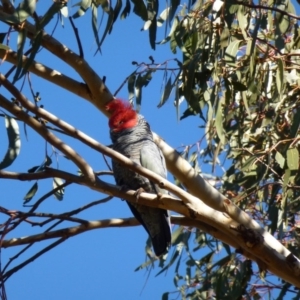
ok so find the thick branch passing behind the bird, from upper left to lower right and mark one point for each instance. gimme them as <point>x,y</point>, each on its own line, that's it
<point>176,164</point>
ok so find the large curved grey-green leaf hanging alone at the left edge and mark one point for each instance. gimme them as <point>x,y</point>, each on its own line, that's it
<point>14,142</point>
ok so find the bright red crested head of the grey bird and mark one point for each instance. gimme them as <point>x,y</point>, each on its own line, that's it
<point>123,116</point>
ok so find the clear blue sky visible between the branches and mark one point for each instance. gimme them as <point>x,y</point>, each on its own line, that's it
<point>98,264</point>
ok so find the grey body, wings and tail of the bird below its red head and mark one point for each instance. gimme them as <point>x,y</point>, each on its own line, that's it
<point>137,144</point>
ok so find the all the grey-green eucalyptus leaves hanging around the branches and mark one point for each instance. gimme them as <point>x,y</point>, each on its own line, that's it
<point>239,73</point>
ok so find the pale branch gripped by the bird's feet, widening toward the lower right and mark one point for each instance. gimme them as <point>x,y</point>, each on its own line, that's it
<point>259,250</point>
